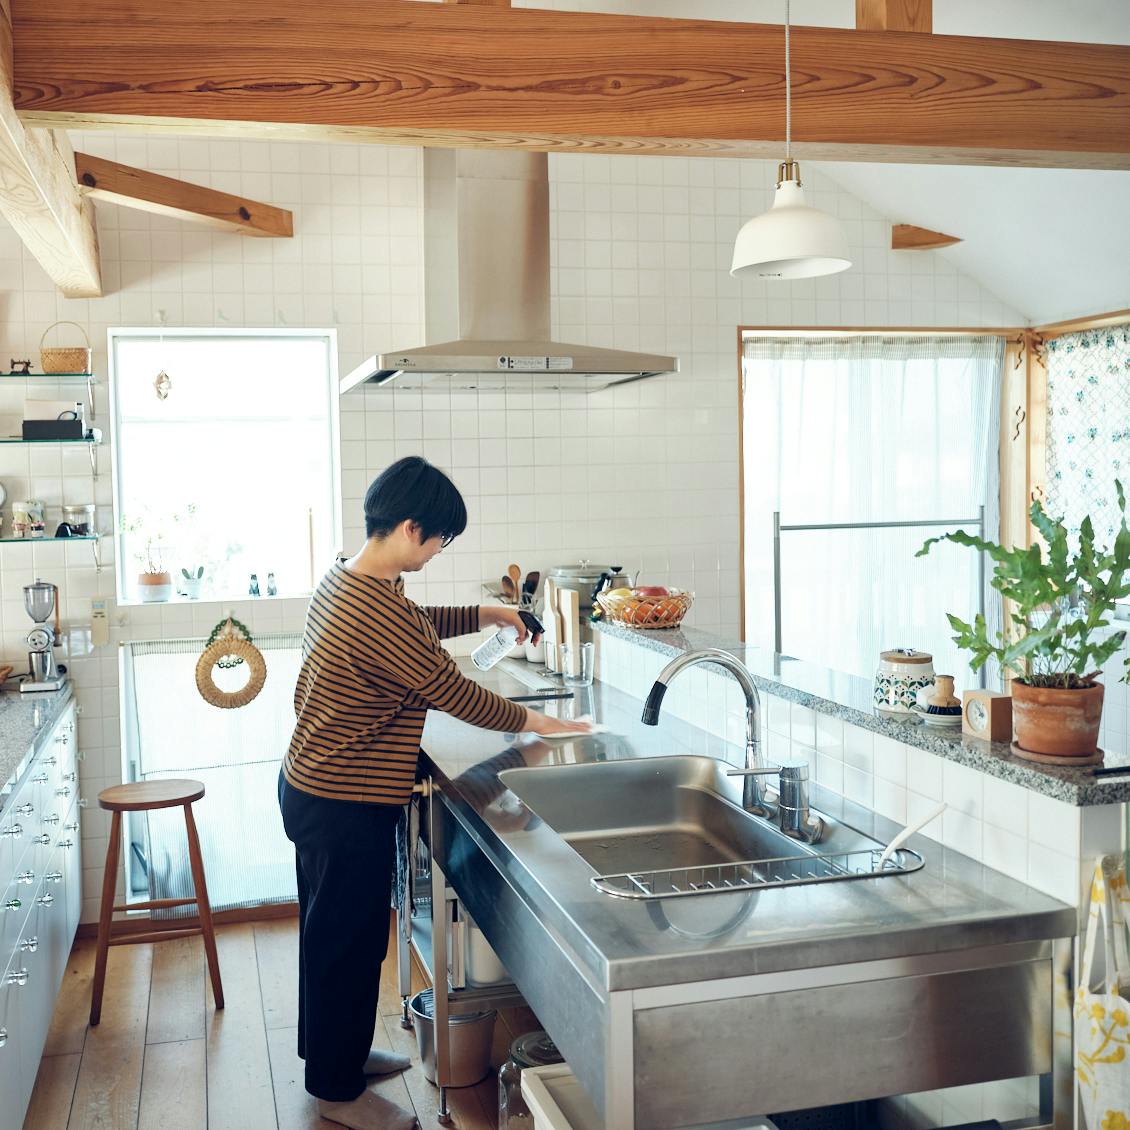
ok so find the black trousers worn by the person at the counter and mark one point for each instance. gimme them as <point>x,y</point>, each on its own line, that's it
<point>345,855</point>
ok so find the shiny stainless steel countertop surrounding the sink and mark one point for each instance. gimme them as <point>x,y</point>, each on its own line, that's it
<point>953,903</point>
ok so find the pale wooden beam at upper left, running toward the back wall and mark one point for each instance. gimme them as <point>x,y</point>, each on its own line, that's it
<point>38,193</point>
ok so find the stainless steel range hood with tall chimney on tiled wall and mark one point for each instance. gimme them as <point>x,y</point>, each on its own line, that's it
<point>486,236</point>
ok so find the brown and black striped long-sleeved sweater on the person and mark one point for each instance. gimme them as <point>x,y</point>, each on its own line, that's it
<point>372,668</point>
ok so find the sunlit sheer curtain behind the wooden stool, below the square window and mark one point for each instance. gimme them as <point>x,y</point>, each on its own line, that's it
<point>170,732</point>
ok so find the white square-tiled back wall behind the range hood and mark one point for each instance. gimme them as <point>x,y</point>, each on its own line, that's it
<point>647,475</point>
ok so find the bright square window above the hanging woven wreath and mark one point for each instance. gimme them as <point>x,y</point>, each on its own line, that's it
<point>224,460</point>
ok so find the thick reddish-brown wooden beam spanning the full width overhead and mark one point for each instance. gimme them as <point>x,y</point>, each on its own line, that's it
<point>458,75</point>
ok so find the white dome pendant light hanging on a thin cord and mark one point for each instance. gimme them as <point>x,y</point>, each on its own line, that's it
<point>792,241</point>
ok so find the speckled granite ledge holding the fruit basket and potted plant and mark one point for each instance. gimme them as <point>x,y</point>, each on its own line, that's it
<point>849,698</point>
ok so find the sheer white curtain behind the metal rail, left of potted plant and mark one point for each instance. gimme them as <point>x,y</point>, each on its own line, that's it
<point>870,430</point>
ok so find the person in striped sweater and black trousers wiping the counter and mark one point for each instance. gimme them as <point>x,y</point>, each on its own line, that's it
<point>372,667</point>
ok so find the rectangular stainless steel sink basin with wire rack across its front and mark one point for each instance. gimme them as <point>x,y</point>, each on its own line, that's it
<point>665,827</point>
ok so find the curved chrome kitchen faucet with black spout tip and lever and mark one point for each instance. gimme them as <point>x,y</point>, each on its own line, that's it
<point>792,810</point>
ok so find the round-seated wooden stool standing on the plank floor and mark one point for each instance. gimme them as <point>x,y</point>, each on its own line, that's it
<point>143,797</point>
